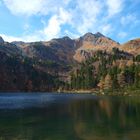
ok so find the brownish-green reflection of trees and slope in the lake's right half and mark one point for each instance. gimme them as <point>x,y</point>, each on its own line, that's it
<point>106,118</point>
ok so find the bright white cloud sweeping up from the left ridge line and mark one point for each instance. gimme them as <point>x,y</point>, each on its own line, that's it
<point>49,31</point>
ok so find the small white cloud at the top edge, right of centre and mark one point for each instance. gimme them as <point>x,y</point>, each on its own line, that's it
<point>114,6</point>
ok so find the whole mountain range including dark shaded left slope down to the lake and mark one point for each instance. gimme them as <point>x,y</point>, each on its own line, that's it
<point>36,63</point>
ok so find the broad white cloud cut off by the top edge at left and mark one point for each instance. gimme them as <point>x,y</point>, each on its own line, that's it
<point>33,7</point>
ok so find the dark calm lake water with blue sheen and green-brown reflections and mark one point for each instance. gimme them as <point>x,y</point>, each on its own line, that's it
<point>68,117</point>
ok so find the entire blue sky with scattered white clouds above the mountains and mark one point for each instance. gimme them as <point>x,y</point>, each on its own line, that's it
<point>42,20</point>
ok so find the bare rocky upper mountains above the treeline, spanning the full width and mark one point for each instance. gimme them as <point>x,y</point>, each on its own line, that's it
<point>66,50</point>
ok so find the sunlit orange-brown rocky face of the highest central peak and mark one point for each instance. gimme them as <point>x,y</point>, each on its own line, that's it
<point>91,43</point>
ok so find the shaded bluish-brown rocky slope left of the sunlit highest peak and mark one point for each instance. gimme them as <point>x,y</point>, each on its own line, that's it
<point>57,50</point>
